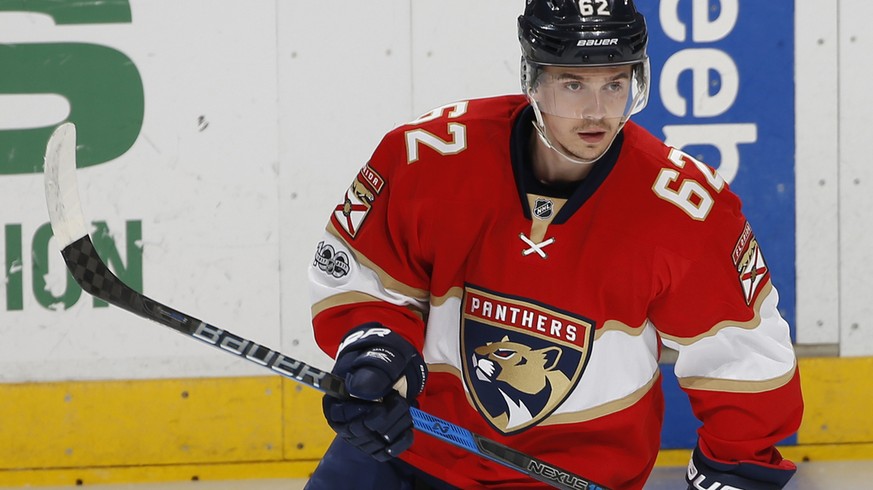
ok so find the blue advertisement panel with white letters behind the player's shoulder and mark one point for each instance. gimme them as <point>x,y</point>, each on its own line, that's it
<point>723,91</point>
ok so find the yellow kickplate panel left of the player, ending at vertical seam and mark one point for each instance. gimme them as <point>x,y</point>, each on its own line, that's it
<point>152,422</point>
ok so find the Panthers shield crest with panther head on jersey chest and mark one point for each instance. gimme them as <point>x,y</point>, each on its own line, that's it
<point>521,358</point>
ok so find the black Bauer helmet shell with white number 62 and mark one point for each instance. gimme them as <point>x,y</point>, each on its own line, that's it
<point>582,32</point>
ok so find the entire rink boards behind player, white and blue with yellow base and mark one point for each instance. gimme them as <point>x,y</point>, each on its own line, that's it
<point>209,166</point>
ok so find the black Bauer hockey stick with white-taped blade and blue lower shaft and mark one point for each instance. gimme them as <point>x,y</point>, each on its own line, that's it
<point>92,274</point>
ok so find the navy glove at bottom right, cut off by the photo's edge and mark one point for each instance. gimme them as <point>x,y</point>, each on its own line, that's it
<point>704,474</point>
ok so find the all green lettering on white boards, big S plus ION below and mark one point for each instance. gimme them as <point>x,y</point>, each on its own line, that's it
<point>104,92</point>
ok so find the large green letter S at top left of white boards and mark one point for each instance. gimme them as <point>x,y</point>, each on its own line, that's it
<point>101,85</point>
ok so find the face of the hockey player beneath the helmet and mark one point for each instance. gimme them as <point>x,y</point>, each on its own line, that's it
<point>591,102</point>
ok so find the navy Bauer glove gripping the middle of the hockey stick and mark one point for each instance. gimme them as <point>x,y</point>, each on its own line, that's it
<point>372,360</point>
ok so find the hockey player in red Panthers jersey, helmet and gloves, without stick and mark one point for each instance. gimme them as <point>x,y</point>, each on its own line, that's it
<point>513,264</point>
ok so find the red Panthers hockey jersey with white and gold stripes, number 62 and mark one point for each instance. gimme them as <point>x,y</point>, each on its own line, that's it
<point>541,314</point>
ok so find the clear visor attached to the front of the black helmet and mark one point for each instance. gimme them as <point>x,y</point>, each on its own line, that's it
<point>590,92</point>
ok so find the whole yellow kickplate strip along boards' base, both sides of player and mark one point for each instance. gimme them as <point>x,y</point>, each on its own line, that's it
<point>267,427</point>
